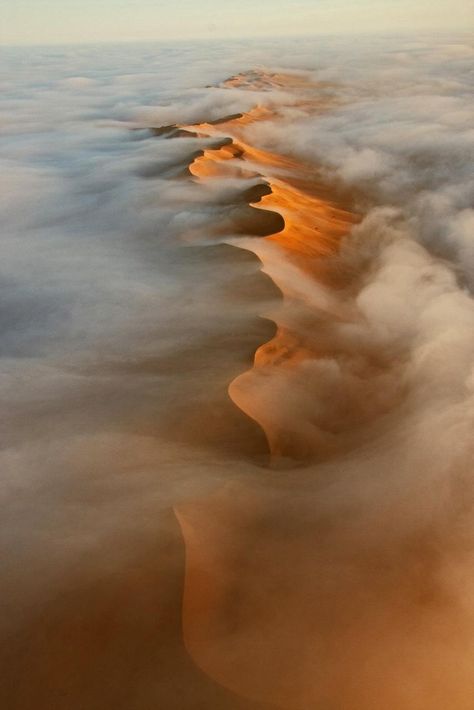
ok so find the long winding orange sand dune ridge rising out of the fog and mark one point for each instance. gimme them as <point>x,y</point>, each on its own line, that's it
<point>285,604</point>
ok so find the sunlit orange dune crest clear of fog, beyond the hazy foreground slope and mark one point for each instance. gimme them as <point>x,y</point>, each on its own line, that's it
<point>313,225</point>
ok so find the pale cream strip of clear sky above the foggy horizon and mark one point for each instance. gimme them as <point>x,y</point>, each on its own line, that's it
<point>79,21</point>
